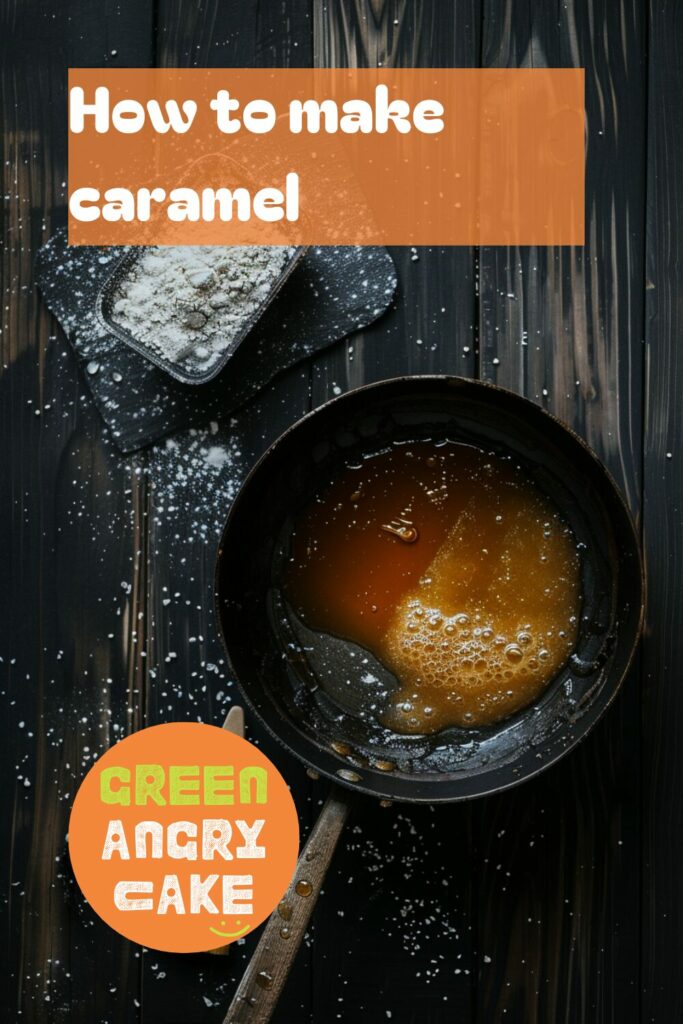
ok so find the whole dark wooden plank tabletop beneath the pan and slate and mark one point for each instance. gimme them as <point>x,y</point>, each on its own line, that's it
<point>558,904</point>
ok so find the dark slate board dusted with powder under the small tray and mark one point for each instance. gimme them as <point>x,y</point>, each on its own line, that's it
<point>333,291</point>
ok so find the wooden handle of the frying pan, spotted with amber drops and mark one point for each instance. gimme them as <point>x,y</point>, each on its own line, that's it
<point>268,971</point>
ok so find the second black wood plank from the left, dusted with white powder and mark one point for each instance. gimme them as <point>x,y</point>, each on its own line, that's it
<point>188,502</point>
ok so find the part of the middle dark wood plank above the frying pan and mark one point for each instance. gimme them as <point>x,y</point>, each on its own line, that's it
<point>433,328</point>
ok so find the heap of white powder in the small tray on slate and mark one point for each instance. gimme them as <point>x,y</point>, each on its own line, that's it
<point>188,305</point>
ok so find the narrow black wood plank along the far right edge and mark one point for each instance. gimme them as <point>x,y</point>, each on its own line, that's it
<point>663,651</point>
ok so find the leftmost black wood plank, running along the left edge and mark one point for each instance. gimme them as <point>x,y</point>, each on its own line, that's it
<point>69,670</point>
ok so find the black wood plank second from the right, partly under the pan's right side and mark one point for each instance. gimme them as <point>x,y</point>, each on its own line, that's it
<point>560,880</point>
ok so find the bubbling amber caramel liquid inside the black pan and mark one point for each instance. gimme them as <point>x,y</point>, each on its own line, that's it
<point>453,569</point>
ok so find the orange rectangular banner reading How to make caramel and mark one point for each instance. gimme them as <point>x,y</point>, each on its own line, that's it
<point>326,157</point>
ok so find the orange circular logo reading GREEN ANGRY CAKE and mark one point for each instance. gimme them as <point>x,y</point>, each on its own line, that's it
<point>184,837</point>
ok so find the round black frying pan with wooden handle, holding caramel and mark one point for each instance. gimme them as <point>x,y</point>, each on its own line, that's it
<point>293,693</point>
